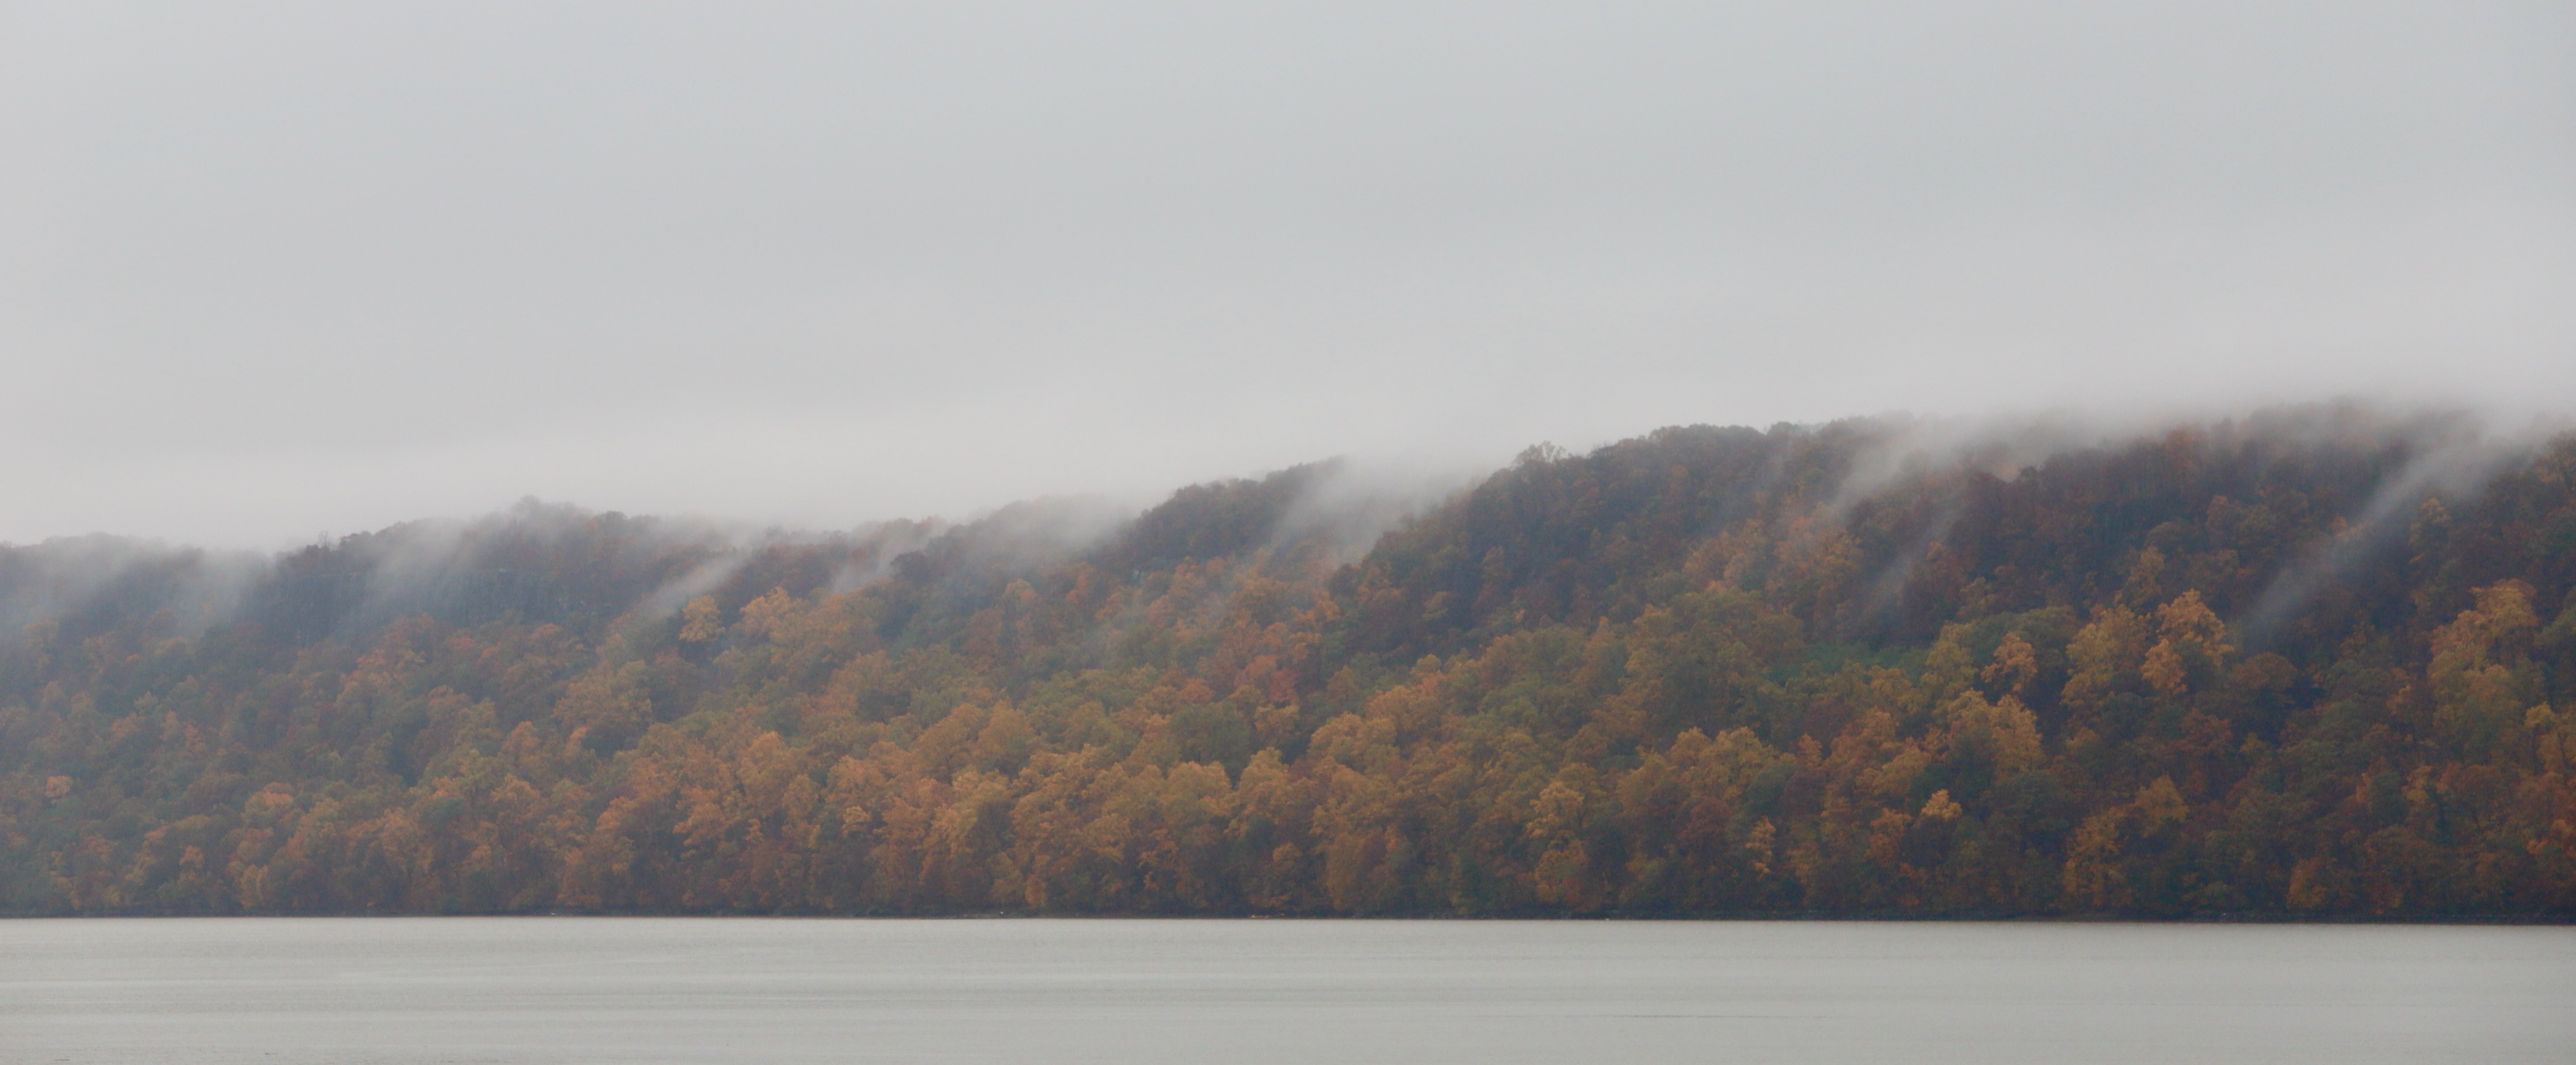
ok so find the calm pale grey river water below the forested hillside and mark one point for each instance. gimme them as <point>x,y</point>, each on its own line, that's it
<point>1274,992</point>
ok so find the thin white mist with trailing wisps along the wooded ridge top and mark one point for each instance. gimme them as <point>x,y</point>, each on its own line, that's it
<point>555,563</point>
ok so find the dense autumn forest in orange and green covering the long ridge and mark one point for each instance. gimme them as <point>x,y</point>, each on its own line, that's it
<point>2297,664</point>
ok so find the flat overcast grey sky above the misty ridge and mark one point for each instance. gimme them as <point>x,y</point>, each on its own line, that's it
<point>287,269</point>
